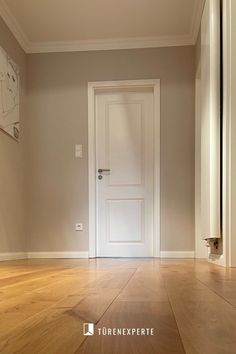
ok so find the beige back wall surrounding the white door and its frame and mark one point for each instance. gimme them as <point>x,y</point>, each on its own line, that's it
<point>57,184</point>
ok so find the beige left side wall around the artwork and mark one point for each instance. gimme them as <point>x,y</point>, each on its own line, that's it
<point>12,233</point>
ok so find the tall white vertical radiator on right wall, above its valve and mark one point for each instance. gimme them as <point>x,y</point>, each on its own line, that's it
<point>210,122</point>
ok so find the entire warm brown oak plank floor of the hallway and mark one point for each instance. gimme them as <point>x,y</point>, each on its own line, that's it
<point>190,304</point>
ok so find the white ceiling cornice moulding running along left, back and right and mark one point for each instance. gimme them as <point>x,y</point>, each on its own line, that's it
<point>103,44</point>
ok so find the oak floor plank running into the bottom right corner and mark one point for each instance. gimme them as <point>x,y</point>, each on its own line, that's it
<point>206,322</point>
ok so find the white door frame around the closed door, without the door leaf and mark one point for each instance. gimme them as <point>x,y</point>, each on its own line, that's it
<point>94,87</point>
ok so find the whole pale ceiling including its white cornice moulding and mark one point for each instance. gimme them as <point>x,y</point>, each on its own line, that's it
<point>68,25</point>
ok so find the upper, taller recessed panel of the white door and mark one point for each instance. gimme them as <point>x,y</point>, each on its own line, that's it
<point>124,142</point>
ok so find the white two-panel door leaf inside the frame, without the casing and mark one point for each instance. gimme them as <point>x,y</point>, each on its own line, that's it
<point>124,147</point>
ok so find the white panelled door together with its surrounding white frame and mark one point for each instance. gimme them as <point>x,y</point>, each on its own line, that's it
<point>124,136</point>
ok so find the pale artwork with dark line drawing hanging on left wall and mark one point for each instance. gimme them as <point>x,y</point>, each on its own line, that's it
<point>9,96</point>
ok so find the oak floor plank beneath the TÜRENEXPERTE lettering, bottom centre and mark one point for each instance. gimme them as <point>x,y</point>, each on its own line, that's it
<point>166,338</point>
